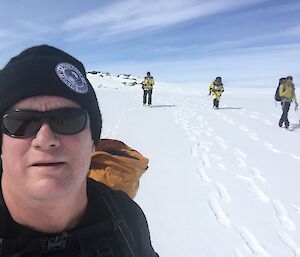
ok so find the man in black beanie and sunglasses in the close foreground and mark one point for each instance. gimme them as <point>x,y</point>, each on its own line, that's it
<point>50,125</point>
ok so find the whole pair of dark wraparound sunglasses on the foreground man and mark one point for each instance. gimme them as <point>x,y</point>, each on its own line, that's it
<point>27,123</point>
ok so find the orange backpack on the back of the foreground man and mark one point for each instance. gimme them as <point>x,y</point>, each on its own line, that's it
<point>118,166</point>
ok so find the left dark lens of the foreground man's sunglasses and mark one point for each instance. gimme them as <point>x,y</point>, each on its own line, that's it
<point>20,124</point>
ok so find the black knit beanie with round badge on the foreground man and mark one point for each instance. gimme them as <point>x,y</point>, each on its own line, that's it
<point>45,70</point>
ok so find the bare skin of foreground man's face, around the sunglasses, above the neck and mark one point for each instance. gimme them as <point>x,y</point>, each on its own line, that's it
<point>47,166</point>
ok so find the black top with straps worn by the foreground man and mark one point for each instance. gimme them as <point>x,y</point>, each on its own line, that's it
<point>113,226</point>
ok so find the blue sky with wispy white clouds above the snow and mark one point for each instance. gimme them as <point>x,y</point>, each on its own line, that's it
<point>247,42</point>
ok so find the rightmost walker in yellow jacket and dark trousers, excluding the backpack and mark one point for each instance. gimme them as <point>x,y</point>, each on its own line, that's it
<point>287,94</point>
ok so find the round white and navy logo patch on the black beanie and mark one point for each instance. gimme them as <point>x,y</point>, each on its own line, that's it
<point>72,77</point>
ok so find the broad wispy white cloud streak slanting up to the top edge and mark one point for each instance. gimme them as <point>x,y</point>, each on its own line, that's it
<point>132,15</point>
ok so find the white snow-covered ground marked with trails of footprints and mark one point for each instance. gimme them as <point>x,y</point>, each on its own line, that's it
<point>220,183</point>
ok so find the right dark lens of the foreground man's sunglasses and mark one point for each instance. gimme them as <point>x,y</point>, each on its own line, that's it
<point>68,121</point>
